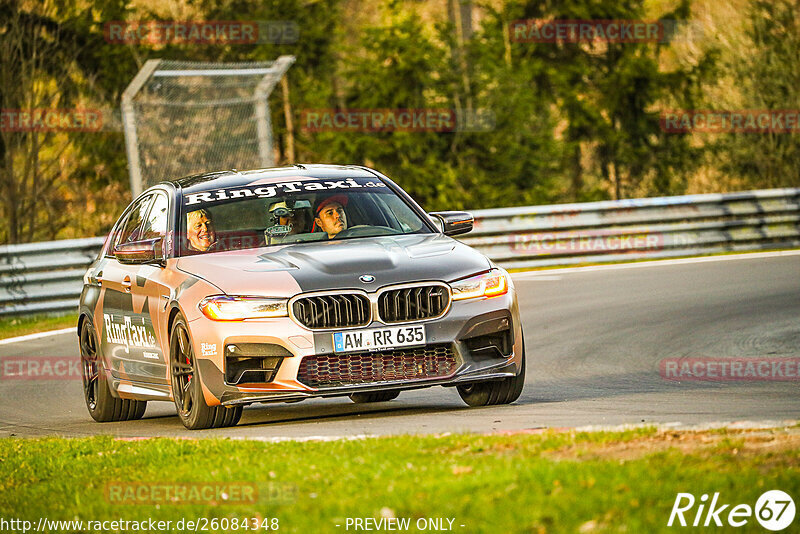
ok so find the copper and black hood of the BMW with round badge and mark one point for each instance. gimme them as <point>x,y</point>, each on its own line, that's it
<point>288,269</point>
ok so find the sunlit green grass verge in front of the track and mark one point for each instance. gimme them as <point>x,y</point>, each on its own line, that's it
<point>548,482</point>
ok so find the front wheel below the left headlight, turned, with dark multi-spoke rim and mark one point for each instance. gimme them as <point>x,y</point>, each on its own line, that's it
<point>187,392</point>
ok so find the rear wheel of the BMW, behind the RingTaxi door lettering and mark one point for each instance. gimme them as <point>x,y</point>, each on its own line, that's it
<point>102,405</point>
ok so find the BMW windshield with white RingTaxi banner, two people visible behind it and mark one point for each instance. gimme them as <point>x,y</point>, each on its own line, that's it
<point>300,211</point>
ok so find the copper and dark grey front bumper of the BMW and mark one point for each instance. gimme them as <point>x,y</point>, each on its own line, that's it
<point>466,328</point>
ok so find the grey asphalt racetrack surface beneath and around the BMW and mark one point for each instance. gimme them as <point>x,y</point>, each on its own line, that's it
<point>594,338</point>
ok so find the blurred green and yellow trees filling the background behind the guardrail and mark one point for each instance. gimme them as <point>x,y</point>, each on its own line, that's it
<point>571,121</point>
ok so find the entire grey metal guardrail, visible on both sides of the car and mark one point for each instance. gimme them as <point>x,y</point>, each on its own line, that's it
<point>47,277</point>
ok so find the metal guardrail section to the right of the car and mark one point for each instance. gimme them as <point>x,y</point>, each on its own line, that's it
<point>567,234</point>
